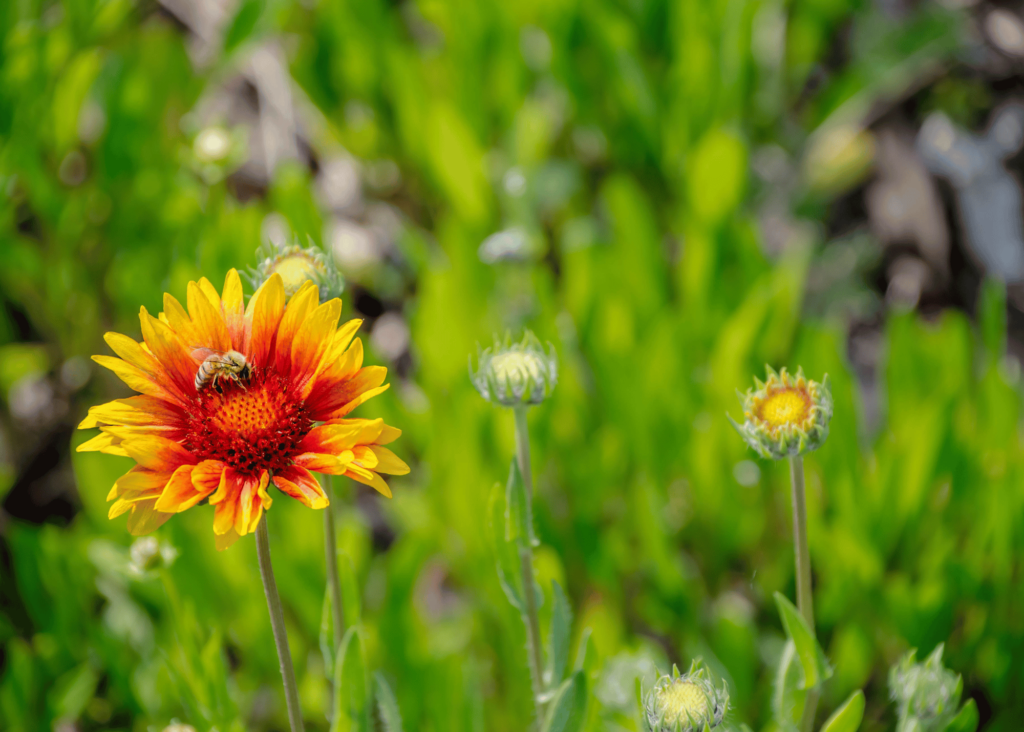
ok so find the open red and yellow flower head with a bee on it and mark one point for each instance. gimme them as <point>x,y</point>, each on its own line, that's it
<point>298,374</point>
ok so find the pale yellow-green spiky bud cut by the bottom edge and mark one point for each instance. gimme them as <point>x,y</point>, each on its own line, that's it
<point>686,703</point>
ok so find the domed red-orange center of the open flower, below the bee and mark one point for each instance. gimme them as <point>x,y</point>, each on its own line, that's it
<point>252,429</point>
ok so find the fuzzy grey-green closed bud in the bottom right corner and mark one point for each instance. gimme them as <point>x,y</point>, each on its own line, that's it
<point>927,696</point>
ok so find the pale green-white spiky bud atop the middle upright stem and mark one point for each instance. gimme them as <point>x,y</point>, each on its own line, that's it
<point>511,374</point>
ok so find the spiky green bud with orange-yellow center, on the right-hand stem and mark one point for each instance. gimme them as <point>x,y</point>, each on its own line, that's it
<point>786,416</point>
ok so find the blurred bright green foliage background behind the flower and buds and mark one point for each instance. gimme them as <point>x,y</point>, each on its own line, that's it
<point>671,193</point>
